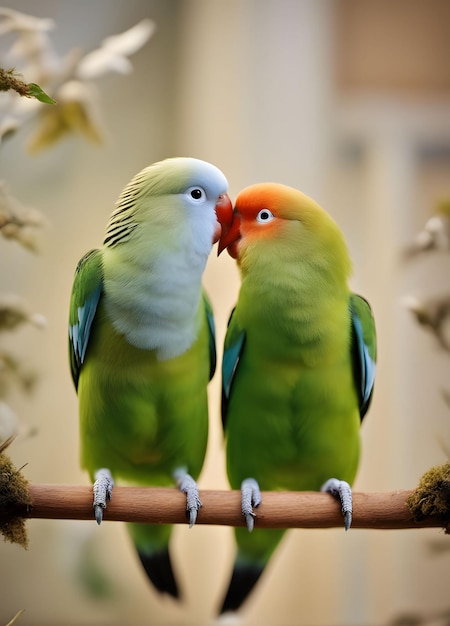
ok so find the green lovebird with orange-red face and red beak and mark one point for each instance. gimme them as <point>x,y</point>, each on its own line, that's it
<point>298,365</point>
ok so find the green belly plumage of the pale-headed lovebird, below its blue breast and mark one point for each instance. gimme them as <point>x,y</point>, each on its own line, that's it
<point>119,380</point>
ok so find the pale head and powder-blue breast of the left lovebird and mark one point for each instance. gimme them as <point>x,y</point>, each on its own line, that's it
<point>155,251</point>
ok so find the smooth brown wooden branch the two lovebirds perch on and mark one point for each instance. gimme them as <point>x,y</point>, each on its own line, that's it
<point>278,509</point>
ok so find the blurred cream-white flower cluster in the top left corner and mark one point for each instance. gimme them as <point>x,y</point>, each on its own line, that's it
<point>71,80</point>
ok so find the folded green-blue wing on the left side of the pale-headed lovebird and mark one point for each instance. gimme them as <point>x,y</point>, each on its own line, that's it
<point>86,292</point>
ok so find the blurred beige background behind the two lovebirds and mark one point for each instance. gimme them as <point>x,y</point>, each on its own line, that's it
<point>347,100</point>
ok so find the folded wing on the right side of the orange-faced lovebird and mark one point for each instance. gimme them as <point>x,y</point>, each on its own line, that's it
<point>364,350</point>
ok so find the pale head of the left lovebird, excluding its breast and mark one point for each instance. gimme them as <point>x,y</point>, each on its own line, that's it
<point>175,199</point>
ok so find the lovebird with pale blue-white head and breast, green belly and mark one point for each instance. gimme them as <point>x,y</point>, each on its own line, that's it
<point>142,345</point>
